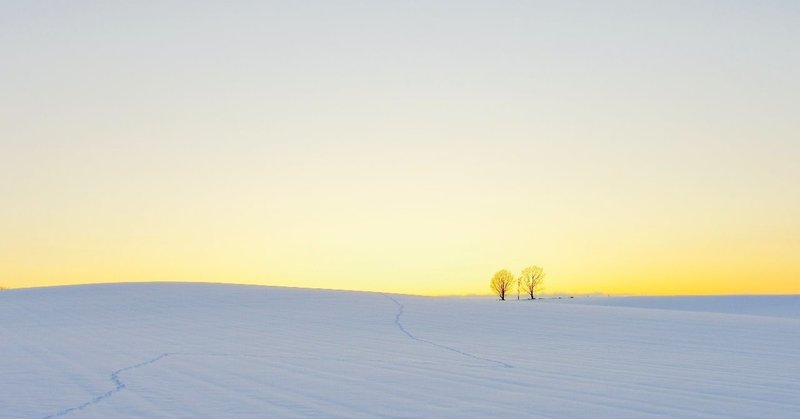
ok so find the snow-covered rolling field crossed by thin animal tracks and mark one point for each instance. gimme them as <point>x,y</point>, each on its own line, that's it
<point>202,350</point>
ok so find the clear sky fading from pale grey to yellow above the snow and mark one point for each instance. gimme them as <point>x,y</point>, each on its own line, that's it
<point>405,146</point>
